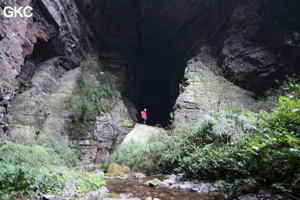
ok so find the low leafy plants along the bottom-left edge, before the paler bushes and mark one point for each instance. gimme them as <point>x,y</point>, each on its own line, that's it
<point>23,180</point>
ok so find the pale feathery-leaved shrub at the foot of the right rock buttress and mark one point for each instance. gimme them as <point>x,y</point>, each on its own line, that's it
<point>219,128</point>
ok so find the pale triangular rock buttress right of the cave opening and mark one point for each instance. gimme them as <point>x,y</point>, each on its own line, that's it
<point>204,91</point>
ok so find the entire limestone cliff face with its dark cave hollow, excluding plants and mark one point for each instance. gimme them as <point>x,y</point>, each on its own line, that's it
<point>186,57</point>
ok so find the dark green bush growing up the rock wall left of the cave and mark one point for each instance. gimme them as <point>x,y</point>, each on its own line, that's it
<point>87,103</point>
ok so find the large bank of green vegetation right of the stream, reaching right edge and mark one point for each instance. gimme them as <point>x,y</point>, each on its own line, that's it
<point>242,149</point>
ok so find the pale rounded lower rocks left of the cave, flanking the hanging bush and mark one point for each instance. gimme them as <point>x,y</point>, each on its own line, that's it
<point>44,108</point>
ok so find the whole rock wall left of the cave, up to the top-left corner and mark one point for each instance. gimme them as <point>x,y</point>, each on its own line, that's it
<point>41,59</point>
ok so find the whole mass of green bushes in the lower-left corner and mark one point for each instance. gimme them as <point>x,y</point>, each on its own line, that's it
<point>26,170</point>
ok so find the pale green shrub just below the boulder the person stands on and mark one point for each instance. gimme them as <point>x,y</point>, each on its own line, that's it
<point>141,154</point>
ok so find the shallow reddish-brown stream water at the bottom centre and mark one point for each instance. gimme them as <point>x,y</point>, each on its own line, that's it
<point>138,189</point>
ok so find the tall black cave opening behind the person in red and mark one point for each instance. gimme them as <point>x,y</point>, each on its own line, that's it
<point>154,72</point>
